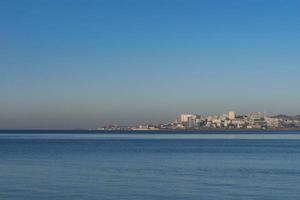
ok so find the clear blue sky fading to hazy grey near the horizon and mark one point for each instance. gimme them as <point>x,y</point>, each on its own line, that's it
<point>85,64</point>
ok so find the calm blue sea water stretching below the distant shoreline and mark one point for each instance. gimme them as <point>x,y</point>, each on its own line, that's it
<point>88,166</point>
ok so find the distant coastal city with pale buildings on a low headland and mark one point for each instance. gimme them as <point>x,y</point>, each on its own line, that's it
<point>230,120</point>
